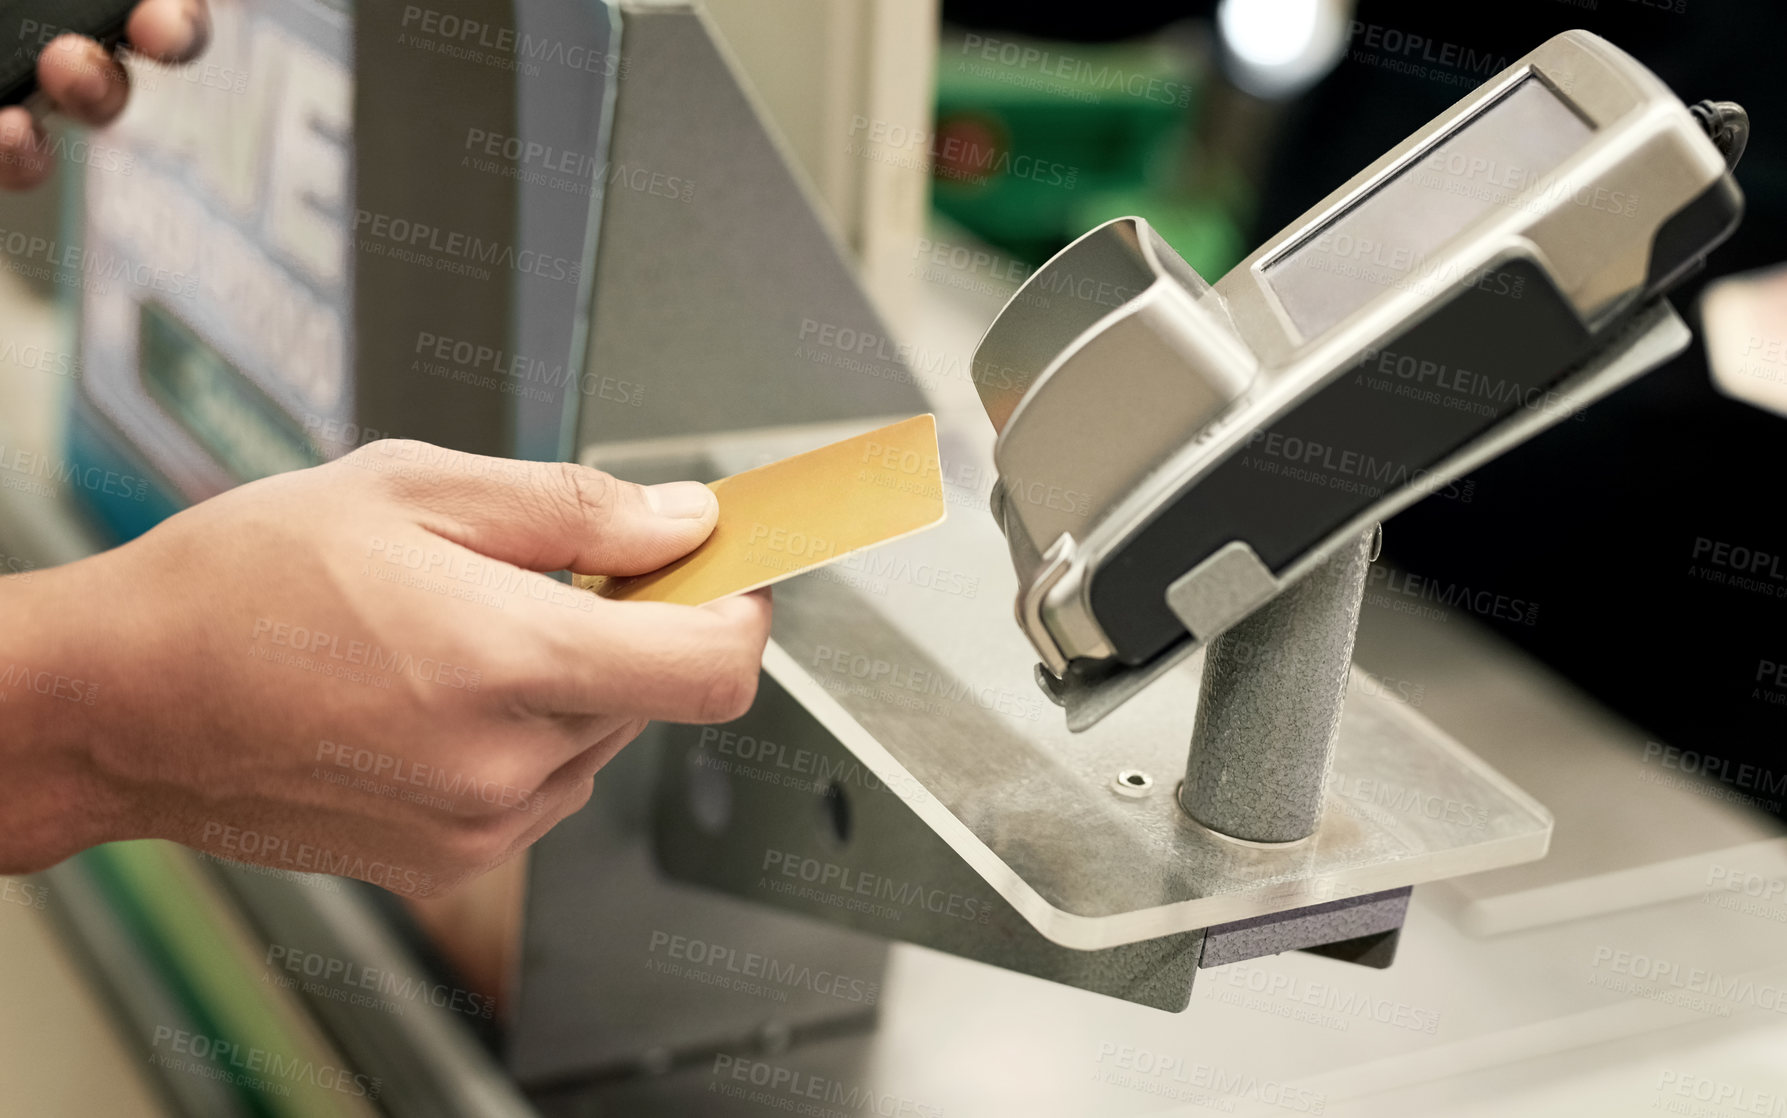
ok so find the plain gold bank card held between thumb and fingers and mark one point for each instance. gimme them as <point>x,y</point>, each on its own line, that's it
<point>803,513</point>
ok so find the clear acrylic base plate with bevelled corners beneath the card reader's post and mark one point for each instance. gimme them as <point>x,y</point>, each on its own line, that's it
<point>912,660</point>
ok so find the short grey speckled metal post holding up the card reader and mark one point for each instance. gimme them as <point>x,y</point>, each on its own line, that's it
<point>1270,706</point>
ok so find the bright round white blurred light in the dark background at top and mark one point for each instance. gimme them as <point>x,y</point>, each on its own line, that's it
<point>1282,47</point>
